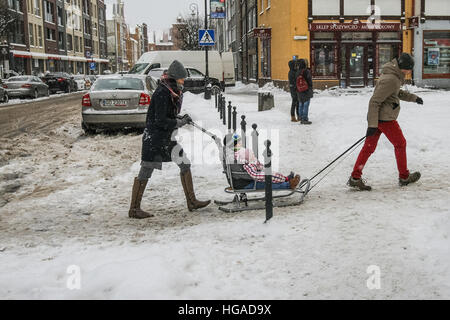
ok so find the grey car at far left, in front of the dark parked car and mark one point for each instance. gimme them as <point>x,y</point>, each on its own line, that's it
<point>26,87</point>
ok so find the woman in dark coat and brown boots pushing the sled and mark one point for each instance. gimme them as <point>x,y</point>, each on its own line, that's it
<point>158,143</point>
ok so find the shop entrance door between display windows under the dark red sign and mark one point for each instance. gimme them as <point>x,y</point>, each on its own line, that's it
<point>357,65</point>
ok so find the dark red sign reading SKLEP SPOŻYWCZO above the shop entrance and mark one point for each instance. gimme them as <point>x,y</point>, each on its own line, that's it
<point>353,27</point>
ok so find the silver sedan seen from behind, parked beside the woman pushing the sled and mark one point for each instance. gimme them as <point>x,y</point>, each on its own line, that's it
<point>116,102</point>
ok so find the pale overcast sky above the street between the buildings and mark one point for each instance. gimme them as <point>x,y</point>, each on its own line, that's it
<point>158,14</point>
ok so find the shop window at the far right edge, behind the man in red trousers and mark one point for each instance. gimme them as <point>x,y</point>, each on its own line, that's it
<point>436,53</point>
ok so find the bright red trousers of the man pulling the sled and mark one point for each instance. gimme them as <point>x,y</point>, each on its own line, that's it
<point>392,131</point>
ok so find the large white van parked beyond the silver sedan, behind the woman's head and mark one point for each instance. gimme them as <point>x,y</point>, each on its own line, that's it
<point>194,59</point>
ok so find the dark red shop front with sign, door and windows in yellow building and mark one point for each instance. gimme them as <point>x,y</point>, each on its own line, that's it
<point>352,54</point>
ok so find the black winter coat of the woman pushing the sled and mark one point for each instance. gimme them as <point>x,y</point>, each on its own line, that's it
<point>161,122</point>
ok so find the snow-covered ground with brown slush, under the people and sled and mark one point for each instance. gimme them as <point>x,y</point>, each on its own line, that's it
<point>64,200</point>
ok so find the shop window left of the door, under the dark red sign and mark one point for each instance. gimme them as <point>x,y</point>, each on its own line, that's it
<point>324,60</point>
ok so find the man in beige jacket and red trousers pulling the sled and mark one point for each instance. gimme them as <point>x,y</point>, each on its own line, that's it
<point>384,108</point>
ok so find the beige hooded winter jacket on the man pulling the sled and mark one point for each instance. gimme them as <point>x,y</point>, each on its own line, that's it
<point>385,102</point>
